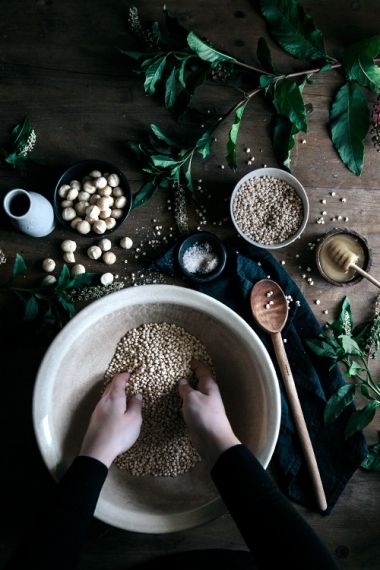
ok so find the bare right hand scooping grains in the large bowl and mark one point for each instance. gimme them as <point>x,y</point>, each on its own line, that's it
<point>205,416</point>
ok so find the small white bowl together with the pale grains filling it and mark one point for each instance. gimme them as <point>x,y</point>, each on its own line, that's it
<point>269,208</point>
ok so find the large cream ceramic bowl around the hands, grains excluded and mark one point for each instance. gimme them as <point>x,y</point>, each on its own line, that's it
<point>70,378</point>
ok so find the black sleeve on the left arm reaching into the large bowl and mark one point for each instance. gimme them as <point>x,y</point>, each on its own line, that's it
<point>60,531</point>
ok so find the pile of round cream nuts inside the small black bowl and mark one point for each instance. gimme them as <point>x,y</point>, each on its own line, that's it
<point>97,200</point>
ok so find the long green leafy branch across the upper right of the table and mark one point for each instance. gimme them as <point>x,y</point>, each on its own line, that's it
<point>182,62</point>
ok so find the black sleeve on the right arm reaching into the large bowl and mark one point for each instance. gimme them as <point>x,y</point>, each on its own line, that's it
<point>275,533</point>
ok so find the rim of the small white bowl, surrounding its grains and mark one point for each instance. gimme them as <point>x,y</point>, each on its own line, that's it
<point>282,175</point>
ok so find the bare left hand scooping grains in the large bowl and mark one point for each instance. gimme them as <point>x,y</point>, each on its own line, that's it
<point>115,423</point>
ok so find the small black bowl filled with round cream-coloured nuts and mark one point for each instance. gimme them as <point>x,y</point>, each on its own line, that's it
<point>92,198</point>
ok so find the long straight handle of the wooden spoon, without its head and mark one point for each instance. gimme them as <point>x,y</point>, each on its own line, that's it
<point>299,419</point>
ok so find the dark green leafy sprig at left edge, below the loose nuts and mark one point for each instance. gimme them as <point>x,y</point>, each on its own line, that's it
<point>49,304</point>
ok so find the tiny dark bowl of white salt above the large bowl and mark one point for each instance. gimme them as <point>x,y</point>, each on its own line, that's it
<point>202,257</point>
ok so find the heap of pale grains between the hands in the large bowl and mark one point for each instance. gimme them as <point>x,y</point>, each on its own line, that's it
<point>158,355</point>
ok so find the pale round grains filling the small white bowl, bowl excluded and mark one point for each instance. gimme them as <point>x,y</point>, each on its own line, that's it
<point>268,210</point>
